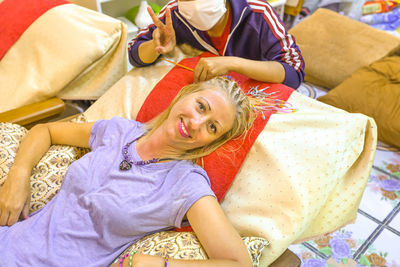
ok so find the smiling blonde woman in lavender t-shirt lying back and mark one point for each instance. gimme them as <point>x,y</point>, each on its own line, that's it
<point>137,179</point>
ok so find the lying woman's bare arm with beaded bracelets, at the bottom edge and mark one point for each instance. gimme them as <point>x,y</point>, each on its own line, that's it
<point>220,240</point>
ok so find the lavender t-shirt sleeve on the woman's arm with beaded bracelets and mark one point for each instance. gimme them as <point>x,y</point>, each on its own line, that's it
<point>192,187</point>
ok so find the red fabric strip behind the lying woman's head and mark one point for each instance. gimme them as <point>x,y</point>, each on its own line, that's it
<point>223,164</point>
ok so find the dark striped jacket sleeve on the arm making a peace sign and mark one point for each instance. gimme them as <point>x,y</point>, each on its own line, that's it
<point>144,35</point>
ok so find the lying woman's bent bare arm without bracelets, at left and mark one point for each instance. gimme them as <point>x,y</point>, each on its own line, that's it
<point>15,192</point>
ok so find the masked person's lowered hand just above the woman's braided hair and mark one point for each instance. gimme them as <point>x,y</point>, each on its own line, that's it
<point>210,67</point>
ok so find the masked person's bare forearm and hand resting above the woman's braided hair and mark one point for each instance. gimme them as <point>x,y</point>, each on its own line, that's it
<point>264,71</point>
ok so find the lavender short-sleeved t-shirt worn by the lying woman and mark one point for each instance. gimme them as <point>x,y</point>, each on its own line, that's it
<point>101,210</point>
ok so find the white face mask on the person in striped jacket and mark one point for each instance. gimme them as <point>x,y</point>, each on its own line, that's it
<point>202,14</point>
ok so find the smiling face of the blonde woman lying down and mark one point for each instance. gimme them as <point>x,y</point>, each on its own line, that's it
<point>198,119</point>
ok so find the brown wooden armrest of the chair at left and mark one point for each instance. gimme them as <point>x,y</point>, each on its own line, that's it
<point>33,112</point>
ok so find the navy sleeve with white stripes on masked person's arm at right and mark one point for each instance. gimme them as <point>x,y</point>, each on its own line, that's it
<point>279,45</point>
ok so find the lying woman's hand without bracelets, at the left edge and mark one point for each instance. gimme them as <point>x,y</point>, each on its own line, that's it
<point>14,197</point>
